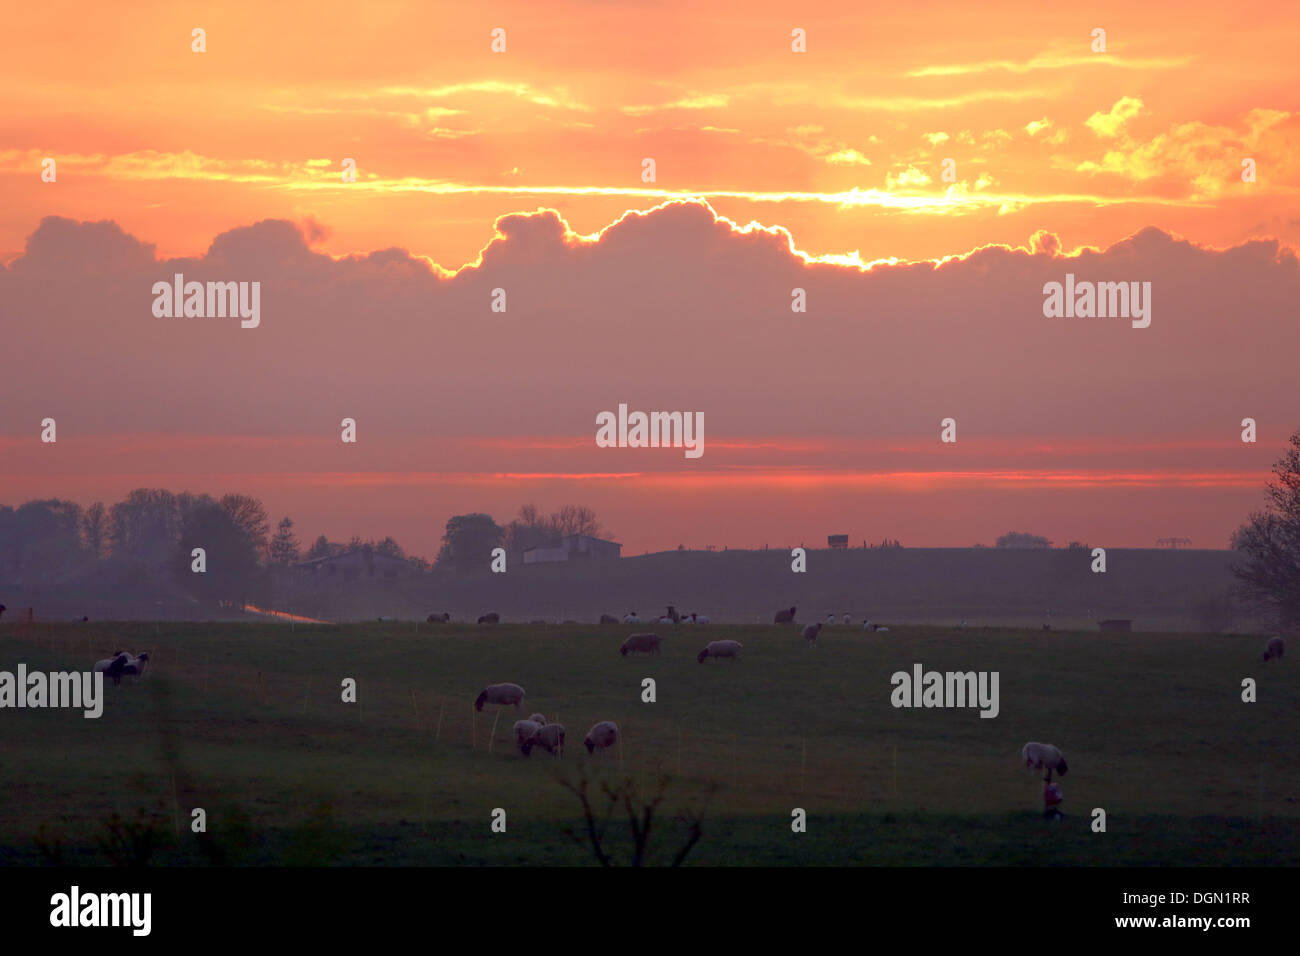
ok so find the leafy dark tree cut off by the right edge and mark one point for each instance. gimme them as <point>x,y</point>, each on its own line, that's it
<point>1269,546</point>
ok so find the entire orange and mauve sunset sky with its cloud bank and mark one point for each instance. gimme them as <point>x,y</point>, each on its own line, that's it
<point>774,171</point>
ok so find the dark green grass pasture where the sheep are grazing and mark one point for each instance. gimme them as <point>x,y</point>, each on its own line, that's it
<point>246,723</point>
